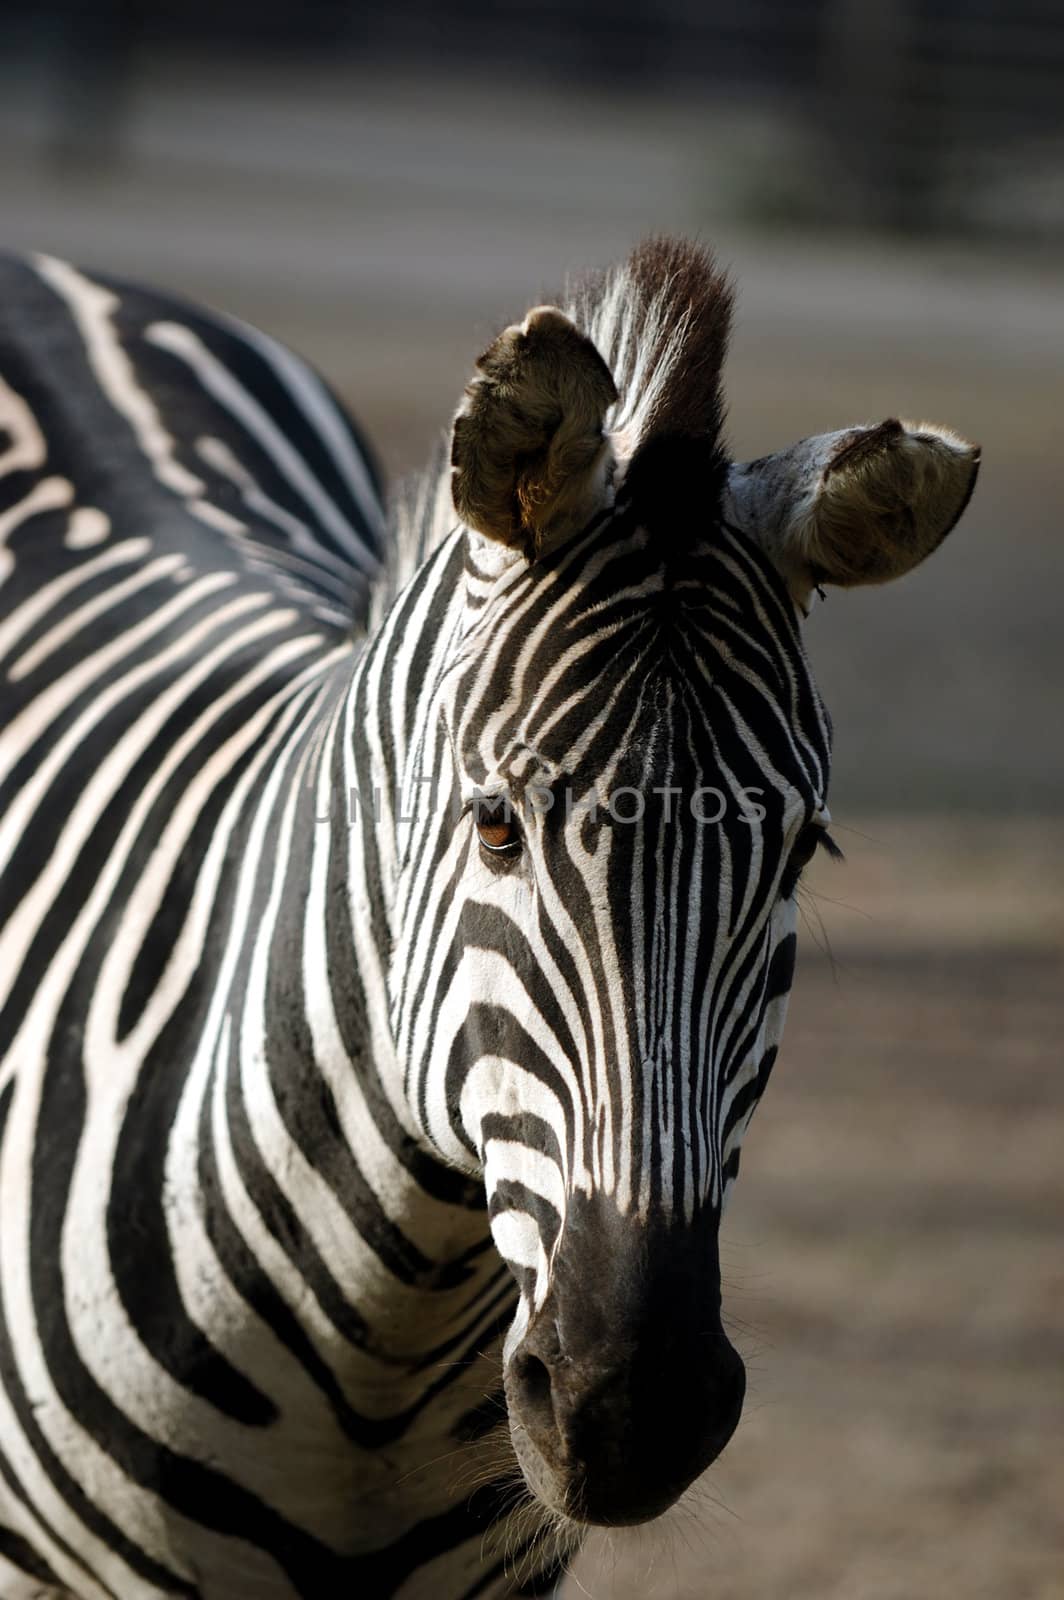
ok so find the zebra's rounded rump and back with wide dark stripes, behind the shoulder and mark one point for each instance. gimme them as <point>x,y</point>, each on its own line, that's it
<point>135,417</point>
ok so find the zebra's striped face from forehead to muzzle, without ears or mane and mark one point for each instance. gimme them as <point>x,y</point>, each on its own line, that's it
<point>641,762</point>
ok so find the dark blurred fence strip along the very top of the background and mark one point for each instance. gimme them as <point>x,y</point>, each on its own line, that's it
<point>924,116</point>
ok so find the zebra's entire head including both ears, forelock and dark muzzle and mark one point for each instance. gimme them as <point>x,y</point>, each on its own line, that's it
<point>642,767</point>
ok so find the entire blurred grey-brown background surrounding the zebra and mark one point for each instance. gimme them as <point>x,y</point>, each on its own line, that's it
<point>383,188</point>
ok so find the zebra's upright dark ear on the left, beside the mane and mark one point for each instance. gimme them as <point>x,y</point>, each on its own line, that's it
<point>530,462</point>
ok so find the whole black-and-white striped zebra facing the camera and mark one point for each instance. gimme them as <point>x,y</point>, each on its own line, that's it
<point>396,932</point>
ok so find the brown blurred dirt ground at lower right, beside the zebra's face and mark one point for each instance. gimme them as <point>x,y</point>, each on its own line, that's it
<point>895,1262</point>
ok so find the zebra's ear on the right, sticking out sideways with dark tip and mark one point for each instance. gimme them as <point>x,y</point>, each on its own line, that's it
<point>855,508</point>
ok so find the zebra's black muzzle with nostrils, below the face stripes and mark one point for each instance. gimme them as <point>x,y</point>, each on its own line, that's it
<point>625,1388</point>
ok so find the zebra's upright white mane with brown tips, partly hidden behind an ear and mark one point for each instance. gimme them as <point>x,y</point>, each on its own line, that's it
<point>662,322</point>
